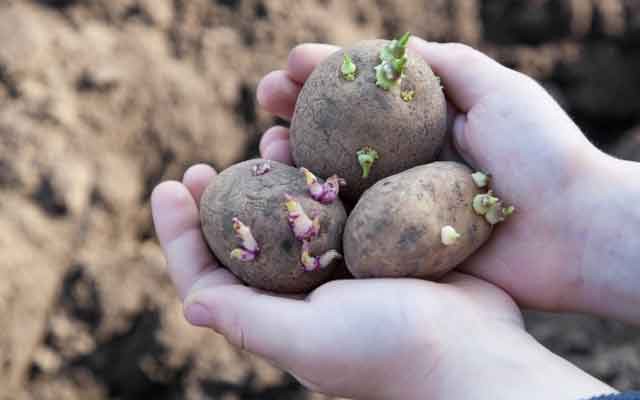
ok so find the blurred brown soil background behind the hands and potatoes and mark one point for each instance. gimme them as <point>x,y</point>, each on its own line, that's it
<point>102,99</point>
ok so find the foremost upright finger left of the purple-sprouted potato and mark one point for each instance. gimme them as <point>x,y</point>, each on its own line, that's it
<point>177,223</point>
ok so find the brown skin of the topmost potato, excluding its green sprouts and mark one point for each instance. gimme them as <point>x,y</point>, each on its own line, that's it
<point>335,118</point>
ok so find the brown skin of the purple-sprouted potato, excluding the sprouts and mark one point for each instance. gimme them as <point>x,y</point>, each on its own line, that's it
<point>258,202</point>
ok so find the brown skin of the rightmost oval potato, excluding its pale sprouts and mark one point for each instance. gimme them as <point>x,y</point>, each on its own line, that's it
<point>394,230</point>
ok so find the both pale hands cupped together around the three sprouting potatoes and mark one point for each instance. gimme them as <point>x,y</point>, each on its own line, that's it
<point>572,246</point>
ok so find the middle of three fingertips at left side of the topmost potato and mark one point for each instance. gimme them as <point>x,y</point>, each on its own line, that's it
<point>277,93</point>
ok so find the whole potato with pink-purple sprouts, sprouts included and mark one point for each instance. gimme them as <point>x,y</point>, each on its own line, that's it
<point>249,214</point>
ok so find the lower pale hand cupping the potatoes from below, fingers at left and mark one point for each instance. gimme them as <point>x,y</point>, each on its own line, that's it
<point>381,338</point>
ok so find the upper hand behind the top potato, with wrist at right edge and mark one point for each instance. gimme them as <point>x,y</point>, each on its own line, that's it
<point>572,244</point>
